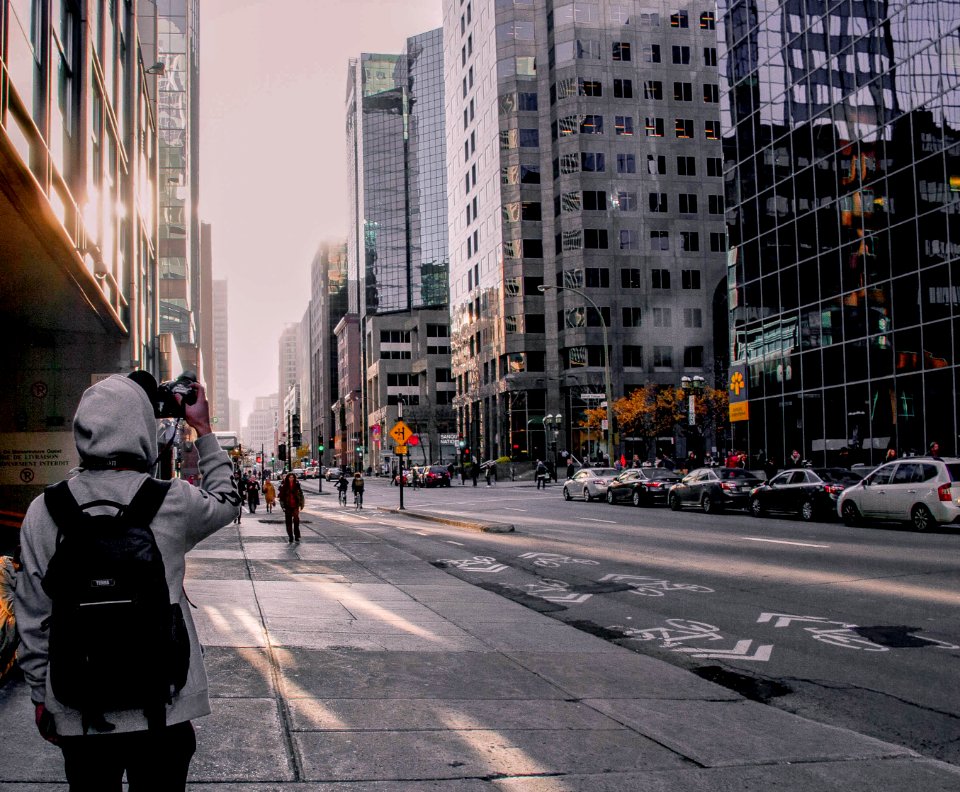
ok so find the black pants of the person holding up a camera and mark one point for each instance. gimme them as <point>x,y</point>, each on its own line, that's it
<point>154,761</point>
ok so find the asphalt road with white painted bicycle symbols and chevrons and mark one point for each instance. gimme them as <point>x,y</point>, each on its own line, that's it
<point>855,627</point>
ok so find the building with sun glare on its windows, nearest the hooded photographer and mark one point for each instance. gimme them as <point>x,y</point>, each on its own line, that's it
<point>78,268</point>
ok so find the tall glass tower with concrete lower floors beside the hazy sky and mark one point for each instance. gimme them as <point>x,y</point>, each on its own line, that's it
<point>397,246</point>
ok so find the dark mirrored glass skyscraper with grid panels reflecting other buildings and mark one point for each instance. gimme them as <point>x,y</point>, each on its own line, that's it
<point>841,140</point>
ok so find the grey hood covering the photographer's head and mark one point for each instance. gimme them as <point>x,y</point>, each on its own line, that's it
<point>115,421</point>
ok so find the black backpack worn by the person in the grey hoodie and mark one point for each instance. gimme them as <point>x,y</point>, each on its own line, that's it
<point>116,641</point>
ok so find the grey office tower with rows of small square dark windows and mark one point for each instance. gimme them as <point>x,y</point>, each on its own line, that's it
<point>585,196</point>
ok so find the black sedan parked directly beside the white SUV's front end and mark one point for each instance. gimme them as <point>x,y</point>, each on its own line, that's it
<point>809,493</point>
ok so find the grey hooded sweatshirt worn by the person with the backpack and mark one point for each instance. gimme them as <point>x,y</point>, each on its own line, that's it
<point>115,420</point>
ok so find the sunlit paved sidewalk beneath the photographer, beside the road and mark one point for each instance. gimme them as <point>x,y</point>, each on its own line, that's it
<point>347,664</point>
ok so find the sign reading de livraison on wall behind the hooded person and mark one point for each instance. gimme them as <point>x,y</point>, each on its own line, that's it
<point>36,458</point>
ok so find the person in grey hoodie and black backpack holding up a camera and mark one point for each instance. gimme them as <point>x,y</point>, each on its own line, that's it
<point>134,531</point>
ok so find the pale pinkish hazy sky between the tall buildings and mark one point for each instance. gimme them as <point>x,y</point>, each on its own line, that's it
<point>273,181</point>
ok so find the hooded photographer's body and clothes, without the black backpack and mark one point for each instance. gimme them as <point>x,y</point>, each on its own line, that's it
<point>116,435</point>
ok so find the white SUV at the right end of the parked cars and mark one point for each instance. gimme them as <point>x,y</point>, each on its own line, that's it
<point>920,490</point>
